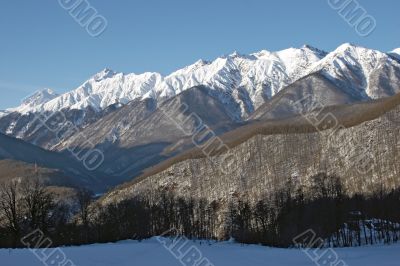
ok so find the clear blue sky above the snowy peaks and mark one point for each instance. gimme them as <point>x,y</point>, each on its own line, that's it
<point>41,45</point>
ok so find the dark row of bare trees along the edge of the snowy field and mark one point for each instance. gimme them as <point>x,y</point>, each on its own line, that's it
<point>275,220</point>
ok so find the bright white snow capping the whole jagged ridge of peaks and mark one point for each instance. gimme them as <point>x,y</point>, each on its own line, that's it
<point>248,79</point>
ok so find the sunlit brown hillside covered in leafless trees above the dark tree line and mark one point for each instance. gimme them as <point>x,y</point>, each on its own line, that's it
<point>364,156</point>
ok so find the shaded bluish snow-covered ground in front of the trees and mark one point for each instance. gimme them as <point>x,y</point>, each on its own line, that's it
<point>153,253</point>
